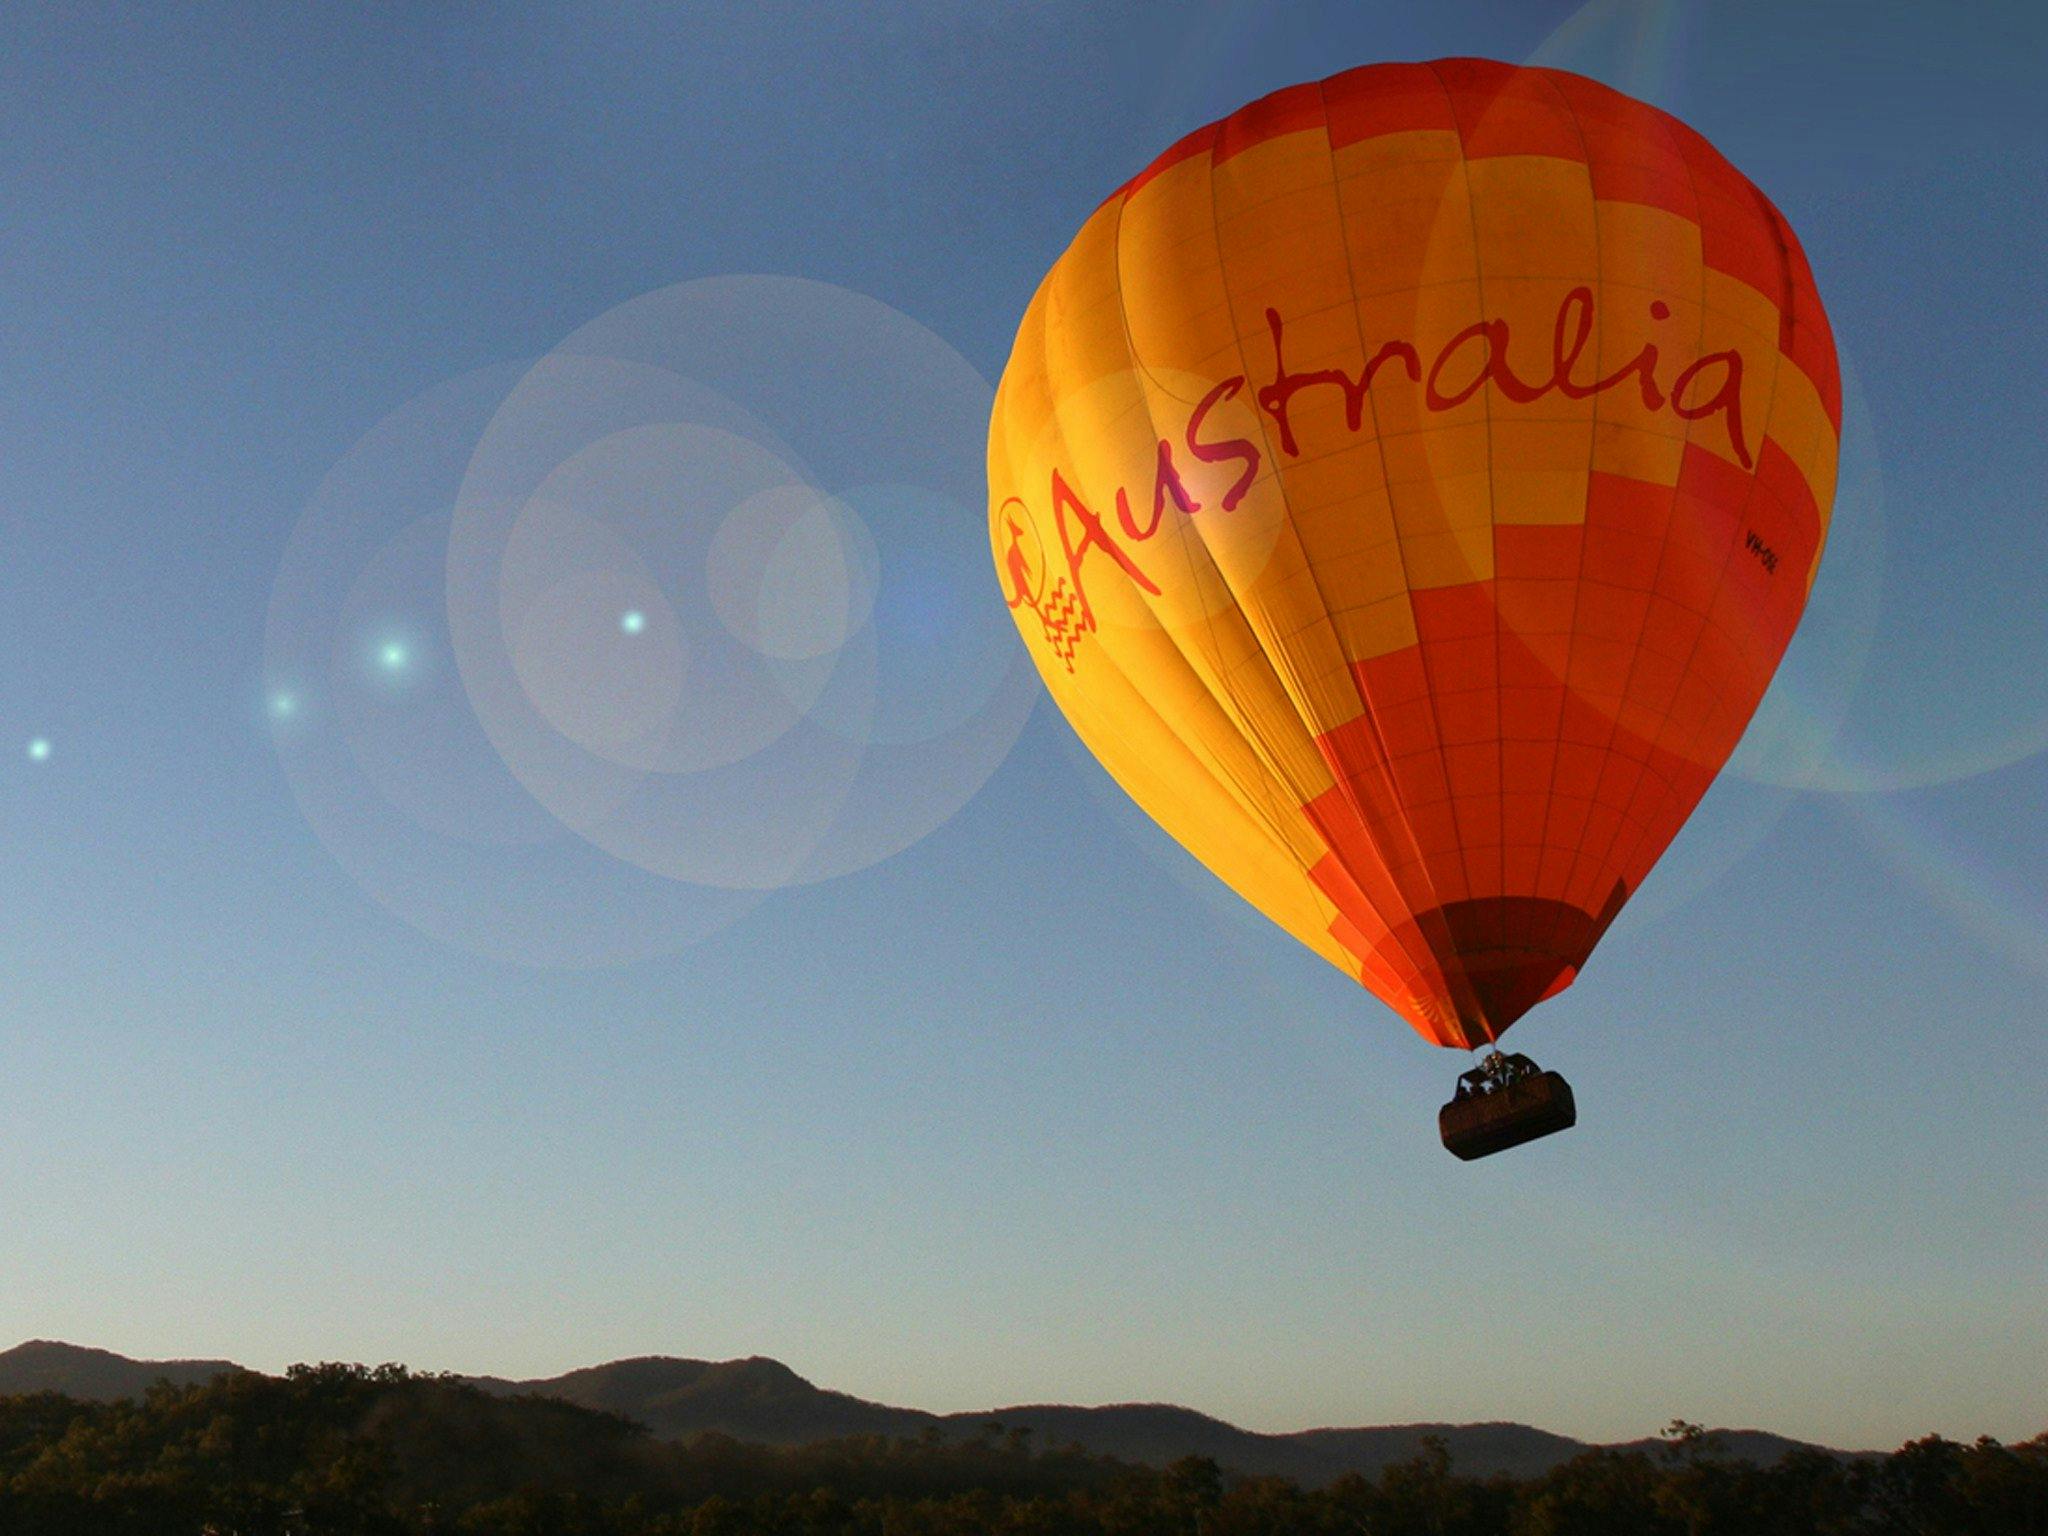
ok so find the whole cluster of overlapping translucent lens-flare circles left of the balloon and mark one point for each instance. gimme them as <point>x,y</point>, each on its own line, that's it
<point>679,626</point>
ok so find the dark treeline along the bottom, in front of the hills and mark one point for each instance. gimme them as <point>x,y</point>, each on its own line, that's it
<point>388,1453</point>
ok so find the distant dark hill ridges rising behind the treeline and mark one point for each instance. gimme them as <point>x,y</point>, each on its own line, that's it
<point>765,1402</point>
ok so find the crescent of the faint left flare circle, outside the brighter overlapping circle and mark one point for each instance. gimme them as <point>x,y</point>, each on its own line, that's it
<point>413,802</point>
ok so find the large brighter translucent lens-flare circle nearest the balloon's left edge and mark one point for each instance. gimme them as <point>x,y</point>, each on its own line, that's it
<point>722,445</point>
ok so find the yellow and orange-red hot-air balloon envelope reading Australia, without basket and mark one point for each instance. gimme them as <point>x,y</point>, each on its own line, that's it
<point>1408,488</point>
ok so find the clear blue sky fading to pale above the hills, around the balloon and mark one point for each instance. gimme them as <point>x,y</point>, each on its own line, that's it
<point>325,1037</point>
